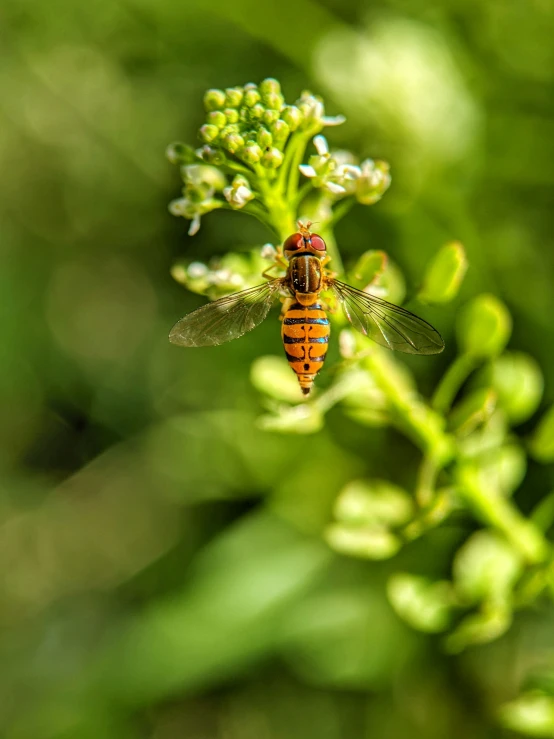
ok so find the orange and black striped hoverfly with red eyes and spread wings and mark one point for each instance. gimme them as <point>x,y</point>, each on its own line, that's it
<point>305,326</point>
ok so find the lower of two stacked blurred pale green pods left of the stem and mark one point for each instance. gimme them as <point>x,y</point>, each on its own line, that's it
<point>368,542</point>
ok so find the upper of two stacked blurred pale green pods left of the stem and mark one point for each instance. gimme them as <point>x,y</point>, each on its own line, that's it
<point>373,502</point>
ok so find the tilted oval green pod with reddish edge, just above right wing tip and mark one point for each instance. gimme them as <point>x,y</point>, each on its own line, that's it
<point>444,274</point>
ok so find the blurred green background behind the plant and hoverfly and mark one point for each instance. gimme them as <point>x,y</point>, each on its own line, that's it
<point>163,573</point>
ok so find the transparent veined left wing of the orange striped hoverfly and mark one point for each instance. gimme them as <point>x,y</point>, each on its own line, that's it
<point>227,318</point>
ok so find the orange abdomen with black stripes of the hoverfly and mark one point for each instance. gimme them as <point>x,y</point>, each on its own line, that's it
<point>305,333</point>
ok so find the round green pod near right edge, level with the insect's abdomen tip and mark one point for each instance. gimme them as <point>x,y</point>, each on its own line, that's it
<point>518,381</point>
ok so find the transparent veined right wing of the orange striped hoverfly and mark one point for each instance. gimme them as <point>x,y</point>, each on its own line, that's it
<point>387,324</point>
